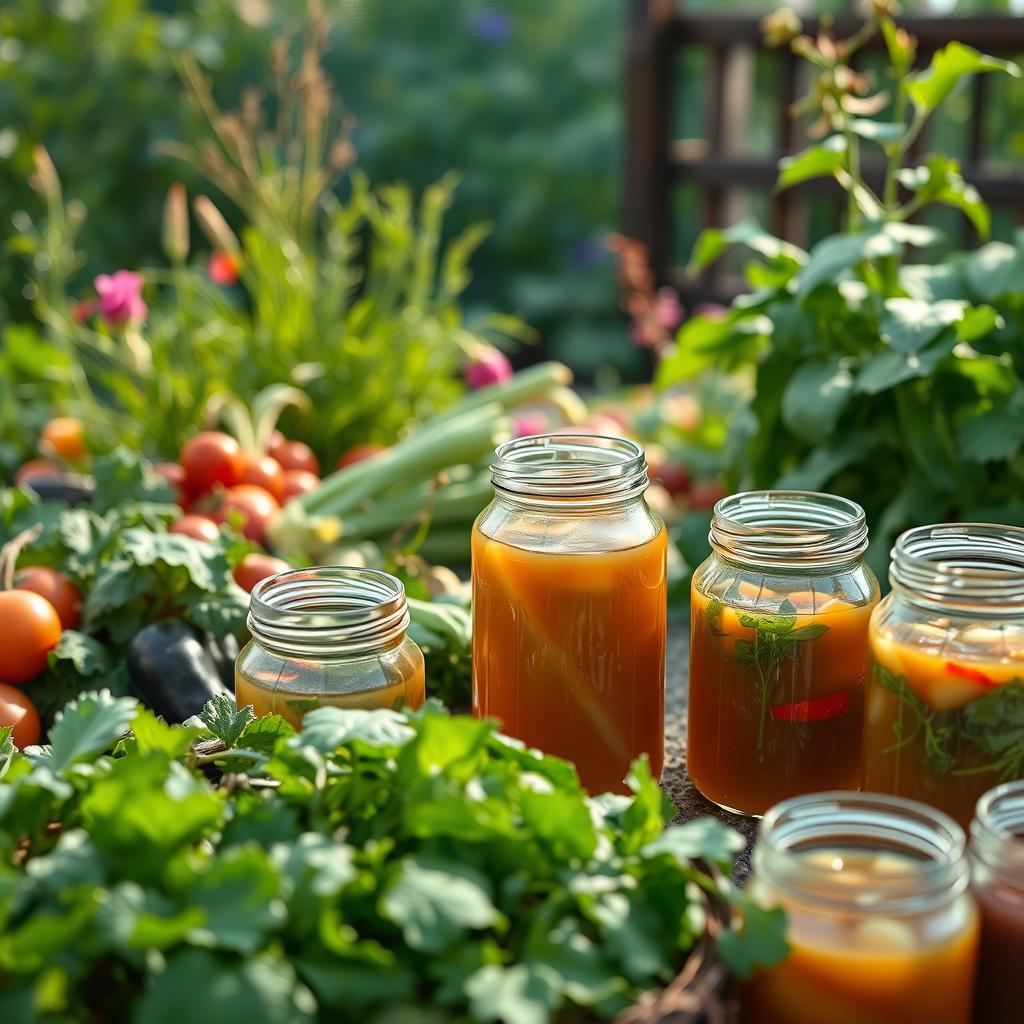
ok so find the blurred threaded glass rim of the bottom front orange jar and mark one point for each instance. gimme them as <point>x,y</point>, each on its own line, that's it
<point>879,823</point>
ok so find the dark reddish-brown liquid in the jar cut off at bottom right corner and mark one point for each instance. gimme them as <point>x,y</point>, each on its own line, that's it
<point>1000,994</point>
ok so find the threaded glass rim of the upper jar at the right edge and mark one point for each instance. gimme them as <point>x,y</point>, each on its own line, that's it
<point>967,568</point>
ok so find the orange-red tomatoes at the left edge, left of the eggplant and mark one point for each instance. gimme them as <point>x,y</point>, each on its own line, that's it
<point>42,605</point>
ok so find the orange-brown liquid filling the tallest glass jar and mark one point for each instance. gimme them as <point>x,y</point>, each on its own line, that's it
<point>569,653</point>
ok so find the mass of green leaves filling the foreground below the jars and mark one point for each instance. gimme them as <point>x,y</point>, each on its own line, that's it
<point>379,868</point>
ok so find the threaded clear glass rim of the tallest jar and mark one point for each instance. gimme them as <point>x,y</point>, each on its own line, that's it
<point>574,471</point>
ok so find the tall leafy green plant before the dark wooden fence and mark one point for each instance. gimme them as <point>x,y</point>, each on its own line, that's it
<point>898,385</point>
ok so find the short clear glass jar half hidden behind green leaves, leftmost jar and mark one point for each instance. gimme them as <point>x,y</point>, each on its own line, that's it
<point>331,635</point>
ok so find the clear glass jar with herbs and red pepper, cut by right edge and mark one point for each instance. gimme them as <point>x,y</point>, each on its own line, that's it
<point>948,653</point>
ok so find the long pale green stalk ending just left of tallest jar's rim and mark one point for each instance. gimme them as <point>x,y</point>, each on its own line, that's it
<point>421,457</point>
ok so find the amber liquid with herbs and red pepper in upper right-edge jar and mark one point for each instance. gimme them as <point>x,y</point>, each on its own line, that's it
<point>945,715</point>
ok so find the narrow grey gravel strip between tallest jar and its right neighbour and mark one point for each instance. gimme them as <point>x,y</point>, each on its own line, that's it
<point>676,782</point>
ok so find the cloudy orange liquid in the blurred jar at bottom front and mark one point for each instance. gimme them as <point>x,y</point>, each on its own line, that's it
<point>868,968</point>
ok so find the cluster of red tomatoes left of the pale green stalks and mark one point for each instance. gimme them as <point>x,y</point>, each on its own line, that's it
<point>218,482</point>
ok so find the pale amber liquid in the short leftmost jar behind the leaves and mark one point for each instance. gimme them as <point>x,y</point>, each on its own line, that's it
<point>275,687</point>
